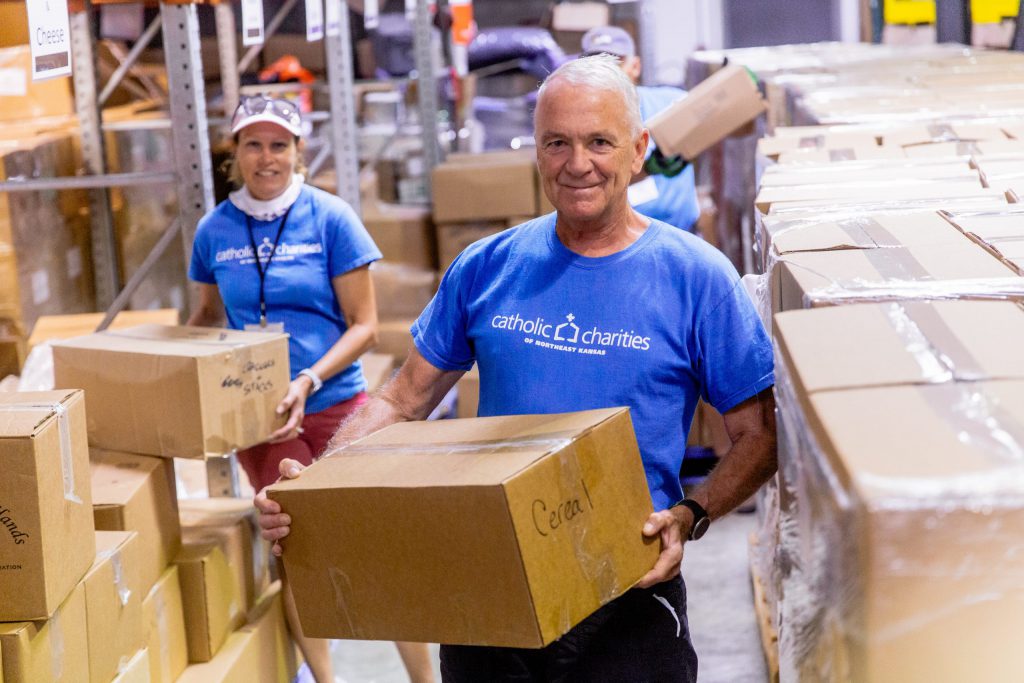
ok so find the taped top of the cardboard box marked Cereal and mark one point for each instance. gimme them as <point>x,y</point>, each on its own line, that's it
<point>484,451</point>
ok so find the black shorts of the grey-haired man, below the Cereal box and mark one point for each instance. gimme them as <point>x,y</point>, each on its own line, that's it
<point>643,636</point>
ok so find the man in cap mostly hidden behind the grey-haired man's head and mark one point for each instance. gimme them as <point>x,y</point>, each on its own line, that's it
<point>674,199</point>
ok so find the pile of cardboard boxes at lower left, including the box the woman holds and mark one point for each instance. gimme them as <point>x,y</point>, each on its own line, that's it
<point>106,576</point>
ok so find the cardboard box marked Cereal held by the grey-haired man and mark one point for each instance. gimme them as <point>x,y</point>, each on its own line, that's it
<point>556,521</point>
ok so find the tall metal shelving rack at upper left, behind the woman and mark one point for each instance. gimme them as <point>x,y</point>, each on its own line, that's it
<point>190,130</point>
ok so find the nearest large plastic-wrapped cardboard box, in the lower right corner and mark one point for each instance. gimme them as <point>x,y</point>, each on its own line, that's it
<point>902,491</point>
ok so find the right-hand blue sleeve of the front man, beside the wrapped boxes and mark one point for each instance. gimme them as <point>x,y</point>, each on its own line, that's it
<point>735,351</point>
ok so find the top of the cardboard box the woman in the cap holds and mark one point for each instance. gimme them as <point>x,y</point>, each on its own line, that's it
<point>169,340</point>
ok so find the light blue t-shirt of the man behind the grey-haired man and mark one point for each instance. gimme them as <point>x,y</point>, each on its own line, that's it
<point>677,198</point>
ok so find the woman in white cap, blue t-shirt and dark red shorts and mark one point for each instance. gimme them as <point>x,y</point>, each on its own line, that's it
<point>281,255</point>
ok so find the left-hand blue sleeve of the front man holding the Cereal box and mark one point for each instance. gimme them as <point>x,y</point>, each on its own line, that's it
<point>441,332</point>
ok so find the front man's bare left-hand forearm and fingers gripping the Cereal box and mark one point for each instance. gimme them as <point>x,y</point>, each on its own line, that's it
<point>415,392</point>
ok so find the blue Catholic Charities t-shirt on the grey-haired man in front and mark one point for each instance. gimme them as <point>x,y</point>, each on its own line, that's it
<point>653,327</point>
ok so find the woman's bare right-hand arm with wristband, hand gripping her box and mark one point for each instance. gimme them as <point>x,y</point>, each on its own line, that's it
<point>356,295</point>
